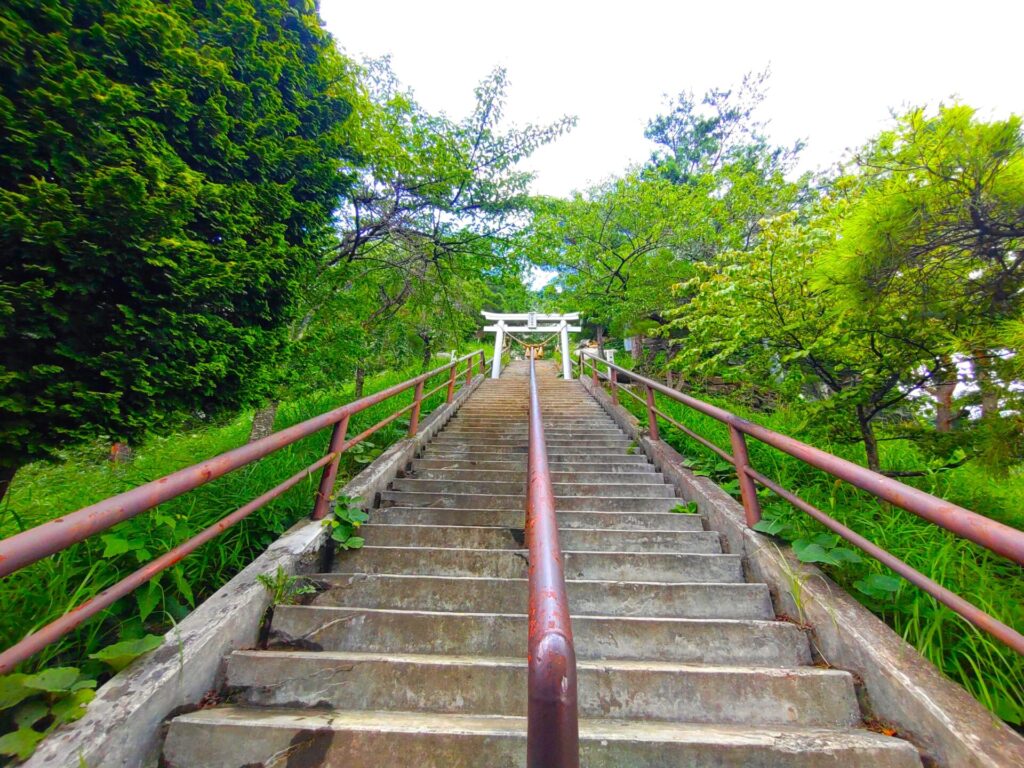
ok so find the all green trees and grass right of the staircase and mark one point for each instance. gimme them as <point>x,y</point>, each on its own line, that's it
<point>875,313</point>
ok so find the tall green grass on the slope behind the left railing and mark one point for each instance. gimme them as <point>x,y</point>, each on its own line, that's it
<point>40,593</point>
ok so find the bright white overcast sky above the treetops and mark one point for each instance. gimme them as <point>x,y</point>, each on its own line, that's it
<point>838,69</point>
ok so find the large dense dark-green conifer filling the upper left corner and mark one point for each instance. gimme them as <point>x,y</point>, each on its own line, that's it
<point>166,172</point>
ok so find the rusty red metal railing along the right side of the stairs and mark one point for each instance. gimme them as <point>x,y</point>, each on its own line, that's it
<point>996,537</point>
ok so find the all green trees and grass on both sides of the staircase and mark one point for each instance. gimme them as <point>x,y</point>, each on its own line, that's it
<point>212,219</point>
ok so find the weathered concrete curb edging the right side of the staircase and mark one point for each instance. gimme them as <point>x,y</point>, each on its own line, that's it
<point>901,688</point>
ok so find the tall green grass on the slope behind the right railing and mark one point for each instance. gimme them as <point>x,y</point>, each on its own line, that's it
<point>993,673</point>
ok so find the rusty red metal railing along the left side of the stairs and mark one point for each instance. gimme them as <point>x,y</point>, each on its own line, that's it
<point>50,538</point>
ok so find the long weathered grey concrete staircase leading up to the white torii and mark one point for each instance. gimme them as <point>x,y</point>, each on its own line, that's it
<point>414,652</point>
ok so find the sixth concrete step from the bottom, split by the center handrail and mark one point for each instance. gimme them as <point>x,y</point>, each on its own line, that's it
<point>580,540</point>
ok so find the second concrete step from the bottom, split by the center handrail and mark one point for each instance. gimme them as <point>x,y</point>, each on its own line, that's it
<point>649,691</point>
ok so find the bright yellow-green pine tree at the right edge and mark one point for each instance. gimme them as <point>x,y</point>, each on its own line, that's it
<point>940,230</point>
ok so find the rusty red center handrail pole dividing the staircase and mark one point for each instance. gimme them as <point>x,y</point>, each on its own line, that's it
<point>552,727</point>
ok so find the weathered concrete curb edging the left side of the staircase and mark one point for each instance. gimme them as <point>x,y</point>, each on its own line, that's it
<point>123,726</point>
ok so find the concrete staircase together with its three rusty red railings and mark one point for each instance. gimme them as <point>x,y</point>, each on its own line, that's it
<point>448,642</point>
